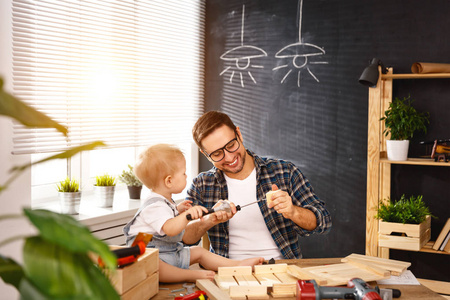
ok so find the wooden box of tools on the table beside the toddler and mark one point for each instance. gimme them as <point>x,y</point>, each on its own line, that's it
<point>139,280</point>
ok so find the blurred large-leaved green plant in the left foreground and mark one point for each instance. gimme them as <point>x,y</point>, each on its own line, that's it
<point>56,258</point>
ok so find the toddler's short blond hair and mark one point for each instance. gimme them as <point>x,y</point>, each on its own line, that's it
<point>156,163</point>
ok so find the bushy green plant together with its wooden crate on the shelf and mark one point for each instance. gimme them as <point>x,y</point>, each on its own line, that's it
<point>404,224</point>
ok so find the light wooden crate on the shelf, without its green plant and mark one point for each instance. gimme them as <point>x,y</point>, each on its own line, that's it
<point>414,237</point>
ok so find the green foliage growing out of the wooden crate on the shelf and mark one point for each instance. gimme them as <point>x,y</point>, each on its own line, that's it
<point>404,210</point>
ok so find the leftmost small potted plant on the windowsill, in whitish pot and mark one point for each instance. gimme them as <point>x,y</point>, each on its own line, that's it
<point>69,196</point>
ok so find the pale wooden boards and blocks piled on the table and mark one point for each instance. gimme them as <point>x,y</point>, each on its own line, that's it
<point>280,280</point>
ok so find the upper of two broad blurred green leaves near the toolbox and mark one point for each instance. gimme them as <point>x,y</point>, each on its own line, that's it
<point>67,232</point>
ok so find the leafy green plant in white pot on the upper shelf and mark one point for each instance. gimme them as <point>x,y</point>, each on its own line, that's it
<point>401,121</point>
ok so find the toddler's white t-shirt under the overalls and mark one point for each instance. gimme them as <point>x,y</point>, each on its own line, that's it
<point>152,218</point>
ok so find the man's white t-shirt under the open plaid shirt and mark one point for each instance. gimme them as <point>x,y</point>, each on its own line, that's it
<point>249,236</point>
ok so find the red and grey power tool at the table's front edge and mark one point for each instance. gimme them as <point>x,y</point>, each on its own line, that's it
<point>356,289</point>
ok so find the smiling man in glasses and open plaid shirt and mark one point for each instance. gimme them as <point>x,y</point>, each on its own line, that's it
<point>270,230</point>
